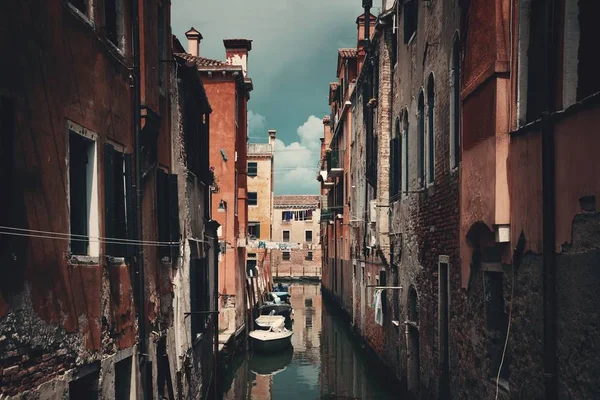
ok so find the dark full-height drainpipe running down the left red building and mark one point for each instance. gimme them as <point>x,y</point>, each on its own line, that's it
<point>142,345</point>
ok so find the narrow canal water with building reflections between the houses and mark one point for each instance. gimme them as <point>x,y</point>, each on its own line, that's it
<point>326,361</point>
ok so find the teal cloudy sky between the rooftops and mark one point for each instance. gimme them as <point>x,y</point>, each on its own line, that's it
<point>293,59</point>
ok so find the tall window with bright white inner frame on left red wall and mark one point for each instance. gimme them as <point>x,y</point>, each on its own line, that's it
<point>83,195</point>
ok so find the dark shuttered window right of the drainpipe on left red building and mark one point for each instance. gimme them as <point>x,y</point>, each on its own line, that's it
<point>167,201</point>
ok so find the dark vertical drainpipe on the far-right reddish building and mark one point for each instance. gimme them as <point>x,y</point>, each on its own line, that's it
<point>549,209</point>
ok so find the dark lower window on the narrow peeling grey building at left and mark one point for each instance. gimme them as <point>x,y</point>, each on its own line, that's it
<point>199,296</point>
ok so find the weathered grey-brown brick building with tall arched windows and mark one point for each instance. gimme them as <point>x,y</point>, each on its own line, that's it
<point>423,191</point>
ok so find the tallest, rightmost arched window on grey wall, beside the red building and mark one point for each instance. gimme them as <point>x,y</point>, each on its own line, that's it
<point>455,105</point>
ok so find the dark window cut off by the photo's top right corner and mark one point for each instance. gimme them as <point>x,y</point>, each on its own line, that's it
<point>588,81</point>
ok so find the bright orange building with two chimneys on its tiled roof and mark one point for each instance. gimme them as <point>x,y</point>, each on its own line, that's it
<point>228,87</point>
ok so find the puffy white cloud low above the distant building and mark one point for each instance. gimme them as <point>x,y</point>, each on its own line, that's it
<point>296,163</point>
